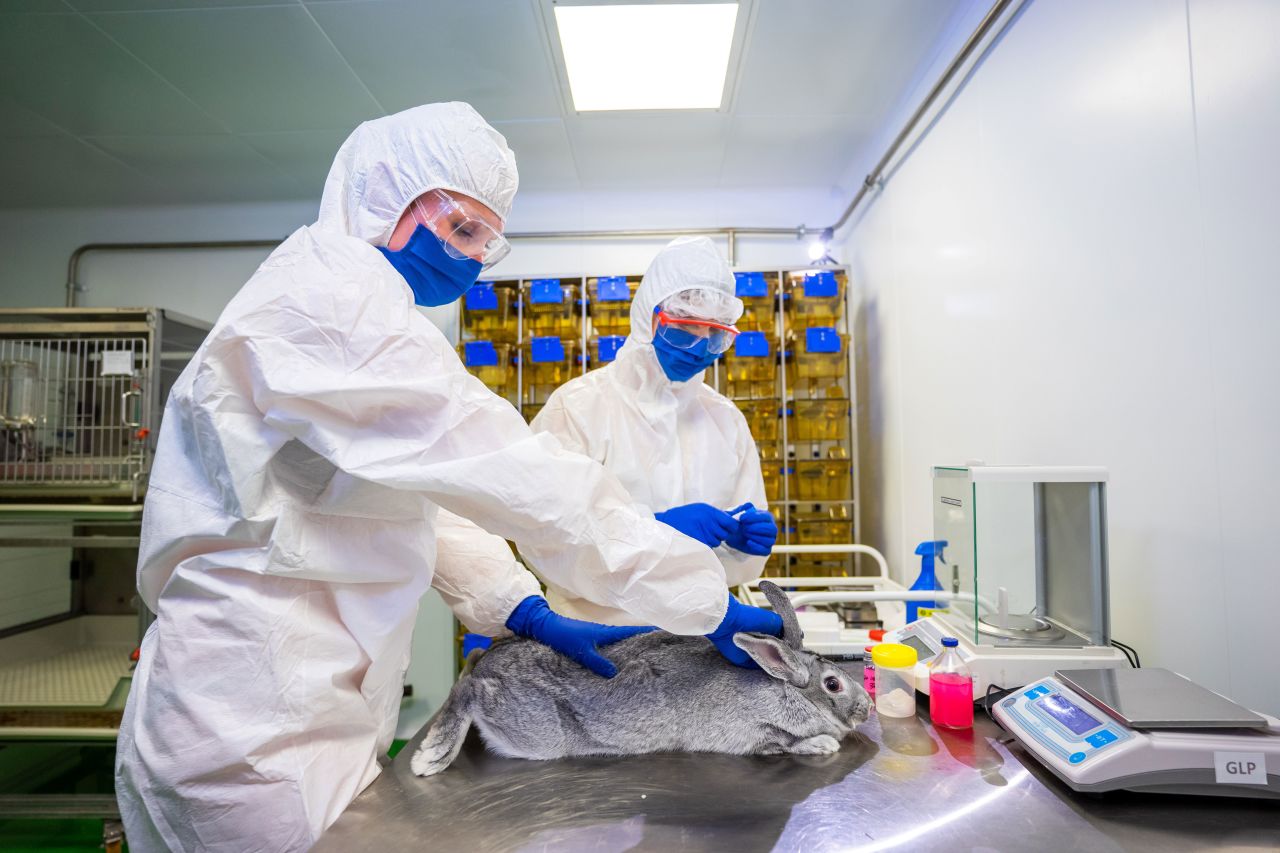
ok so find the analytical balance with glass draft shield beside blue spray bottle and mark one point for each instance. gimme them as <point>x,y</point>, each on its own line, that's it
<point>1025,574</point>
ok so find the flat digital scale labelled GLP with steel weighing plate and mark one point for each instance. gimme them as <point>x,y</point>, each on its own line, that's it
<point>1145,731</point>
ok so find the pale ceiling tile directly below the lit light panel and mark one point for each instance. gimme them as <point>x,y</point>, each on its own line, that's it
<point>648,150</point>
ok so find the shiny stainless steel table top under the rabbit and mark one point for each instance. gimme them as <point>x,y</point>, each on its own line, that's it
<point>899,784</point>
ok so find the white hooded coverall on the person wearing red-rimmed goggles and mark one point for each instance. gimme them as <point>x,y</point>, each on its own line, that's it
<point>670,443</point>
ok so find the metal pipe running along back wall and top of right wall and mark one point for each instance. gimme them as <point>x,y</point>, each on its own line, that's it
<point>985,29</point>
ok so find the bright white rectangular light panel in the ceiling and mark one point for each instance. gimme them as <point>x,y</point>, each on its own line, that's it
<point>668,57</point>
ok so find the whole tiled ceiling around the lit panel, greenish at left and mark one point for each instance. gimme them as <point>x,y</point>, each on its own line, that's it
<point>189,102</point>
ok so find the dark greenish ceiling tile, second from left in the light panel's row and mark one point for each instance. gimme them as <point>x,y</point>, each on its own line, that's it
<point>255,69</point>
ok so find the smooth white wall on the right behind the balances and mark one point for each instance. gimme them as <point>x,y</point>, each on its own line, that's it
<point>1078,266</point>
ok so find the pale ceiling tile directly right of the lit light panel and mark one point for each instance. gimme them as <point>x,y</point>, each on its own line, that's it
<point>849,57</point>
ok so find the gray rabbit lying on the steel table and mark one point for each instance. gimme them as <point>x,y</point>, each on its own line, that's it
<point>671,695</point>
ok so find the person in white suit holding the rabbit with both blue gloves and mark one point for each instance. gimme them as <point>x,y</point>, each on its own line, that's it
<point>323,460</point>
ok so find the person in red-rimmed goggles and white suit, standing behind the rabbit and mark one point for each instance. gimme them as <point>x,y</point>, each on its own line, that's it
<point>679,446</point>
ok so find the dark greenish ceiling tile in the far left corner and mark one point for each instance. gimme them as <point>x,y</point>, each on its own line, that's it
<point>68,72</point>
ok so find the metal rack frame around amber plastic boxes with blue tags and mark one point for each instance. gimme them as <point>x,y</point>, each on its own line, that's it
<point>789,509</point>
